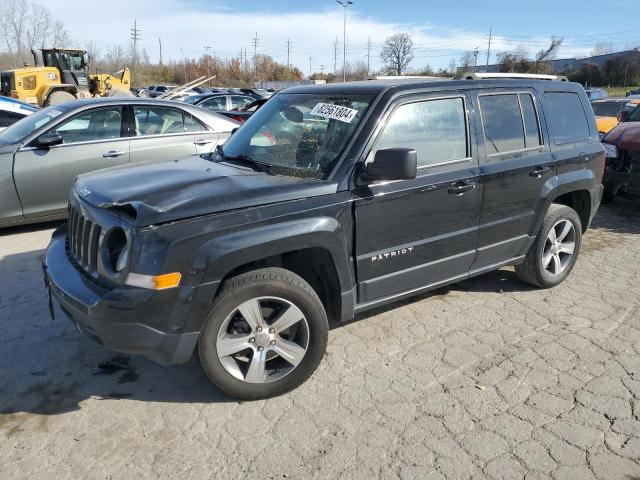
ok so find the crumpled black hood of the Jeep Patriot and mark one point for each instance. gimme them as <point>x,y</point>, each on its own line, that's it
<point>154,193</point>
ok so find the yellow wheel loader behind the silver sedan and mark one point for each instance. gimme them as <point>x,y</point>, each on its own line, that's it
<point>63,76</point>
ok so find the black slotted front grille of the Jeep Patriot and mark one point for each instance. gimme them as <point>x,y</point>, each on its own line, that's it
<point>84,237</point>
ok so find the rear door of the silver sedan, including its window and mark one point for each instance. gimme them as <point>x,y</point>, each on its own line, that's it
<point>161,133</point>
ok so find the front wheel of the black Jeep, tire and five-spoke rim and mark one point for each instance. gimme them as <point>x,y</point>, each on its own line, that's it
<point>275,291</point>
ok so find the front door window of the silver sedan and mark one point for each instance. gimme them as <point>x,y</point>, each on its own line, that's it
<point>98,124</point>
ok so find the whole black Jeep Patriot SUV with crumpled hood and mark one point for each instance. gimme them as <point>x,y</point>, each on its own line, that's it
<point>329,201</point>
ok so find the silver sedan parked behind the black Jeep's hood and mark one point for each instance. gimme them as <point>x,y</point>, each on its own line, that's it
<point>42,154</point>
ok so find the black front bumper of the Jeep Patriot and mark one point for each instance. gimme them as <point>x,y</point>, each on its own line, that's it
<point>164,326</point>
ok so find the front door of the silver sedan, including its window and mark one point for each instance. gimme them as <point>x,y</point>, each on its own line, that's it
<point>93,139</point>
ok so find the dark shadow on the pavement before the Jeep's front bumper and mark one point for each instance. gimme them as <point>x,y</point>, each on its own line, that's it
<point>49,368</point>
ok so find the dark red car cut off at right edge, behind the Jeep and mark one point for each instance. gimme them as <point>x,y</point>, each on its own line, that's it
<point>622,146</point>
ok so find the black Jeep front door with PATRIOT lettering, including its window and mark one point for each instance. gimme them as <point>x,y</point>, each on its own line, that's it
<point>415,234</point>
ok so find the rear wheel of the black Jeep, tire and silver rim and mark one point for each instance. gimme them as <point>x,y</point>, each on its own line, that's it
<point>548,264</point>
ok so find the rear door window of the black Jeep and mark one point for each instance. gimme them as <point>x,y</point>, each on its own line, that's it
<point>510,122</point>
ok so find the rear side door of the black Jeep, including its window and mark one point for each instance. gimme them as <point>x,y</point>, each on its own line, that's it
<point>515,162</point>
